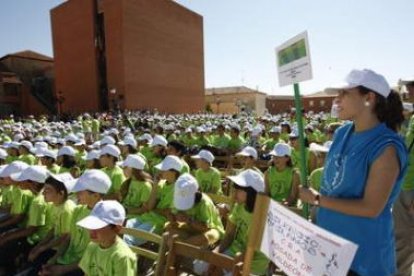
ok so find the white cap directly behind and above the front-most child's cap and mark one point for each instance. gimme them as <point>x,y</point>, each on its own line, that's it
<point>93,180</point>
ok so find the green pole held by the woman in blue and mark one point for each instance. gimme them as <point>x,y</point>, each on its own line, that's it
<point>302,165</point>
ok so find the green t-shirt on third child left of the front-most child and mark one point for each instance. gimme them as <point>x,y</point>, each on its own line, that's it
<point>39,215</point>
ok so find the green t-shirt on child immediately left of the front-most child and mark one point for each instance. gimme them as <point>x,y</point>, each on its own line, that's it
<point>79,237</point>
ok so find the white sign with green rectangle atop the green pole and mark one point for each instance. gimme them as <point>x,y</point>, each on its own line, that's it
<point>293,60</point>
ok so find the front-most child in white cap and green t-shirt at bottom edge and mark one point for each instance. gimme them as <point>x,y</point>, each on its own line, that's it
<point>107,254</point>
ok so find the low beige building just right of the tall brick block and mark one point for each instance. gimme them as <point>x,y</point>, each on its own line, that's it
<point>235,99</point>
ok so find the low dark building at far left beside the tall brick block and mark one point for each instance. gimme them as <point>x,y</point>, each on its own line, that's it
<point>26,84</point>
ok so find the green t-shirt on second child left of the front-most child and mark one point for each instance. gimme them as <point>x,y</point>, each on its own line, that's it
<point>63,217</point>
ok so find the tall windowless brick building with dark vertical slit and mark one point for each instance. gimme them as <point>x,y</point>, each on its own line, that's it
<point>134,54</point>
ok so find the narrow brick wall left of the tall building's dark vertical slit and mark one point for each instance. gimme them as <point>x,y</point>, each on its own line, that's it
<point>74,55</point>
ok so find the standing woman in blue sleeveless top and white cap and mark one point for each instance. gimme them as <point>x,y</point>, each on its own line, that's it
<point>363,172</point>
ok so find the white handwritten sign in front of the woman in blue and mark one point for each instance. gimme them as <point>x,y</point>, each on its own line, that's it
<point>300,248</point>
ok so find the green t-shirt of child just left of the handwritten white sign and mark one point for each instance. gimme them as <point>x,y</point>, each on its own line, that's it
<point>242,220</point>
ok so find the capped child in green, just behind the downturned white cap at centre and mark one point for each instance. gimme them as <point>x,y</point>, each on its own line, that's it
<point>208,177</point>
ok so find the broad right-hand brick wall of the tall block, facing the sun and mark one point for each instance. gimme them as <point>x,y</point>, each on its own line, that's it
<point>163,56</point>
